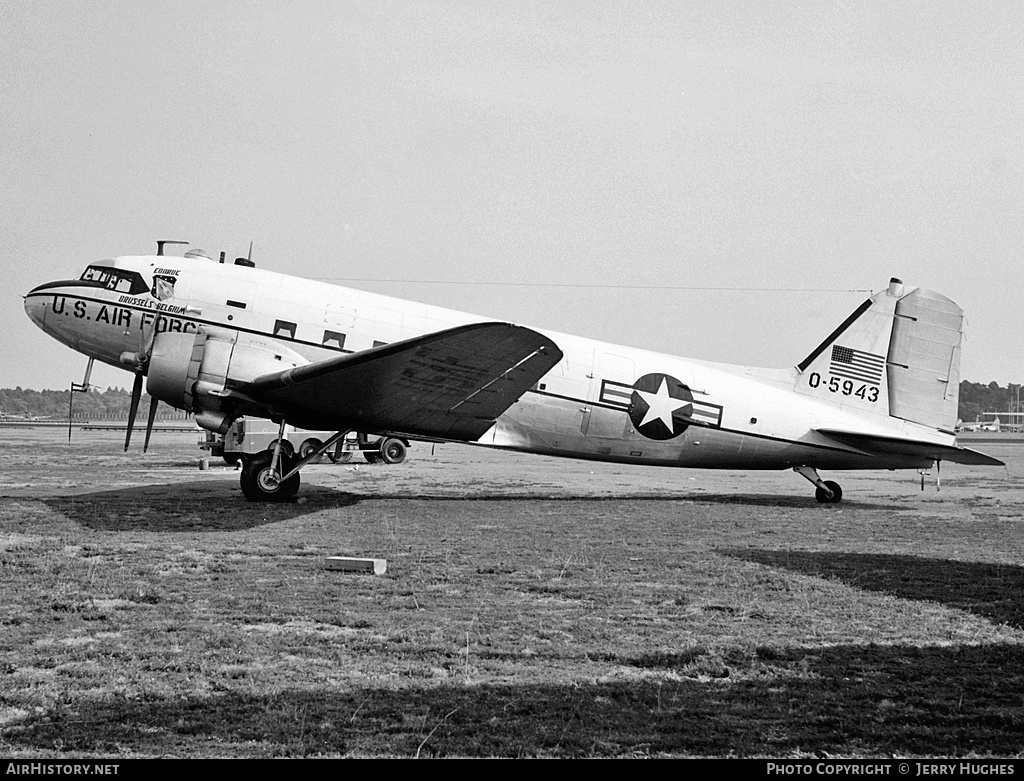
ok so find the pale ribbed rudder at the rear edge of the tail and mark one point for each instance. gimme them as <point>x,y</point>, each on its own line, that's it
<point>924,360</point>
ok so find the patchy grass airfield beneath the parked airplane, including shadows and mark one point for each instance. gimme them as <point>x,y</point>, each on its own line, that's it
<point>532,608</point>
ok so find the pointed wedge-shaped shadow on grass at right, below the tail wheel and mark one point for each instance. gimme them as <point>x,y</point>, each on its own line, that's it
<point>995,592</point>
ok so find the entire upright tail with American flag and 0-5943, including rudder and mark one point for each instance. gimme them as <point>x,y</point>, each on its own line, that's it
<point>898,356</point>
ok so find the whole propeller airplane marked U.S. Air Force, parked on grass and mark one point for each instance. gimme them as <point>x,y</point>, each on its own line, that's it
<point>223,340</point>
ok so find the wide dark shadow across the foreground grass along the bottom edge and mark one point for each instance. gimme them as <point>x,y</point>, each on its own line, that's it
<point>847,701</point>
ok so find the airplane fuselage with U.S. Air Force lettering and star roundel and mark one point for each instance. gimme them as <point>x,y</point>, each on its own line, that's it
<point>602,402</point>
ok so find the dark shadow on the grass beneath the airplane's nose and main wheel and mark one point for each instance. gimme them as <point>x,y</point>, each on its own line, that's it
<point>189,507</point>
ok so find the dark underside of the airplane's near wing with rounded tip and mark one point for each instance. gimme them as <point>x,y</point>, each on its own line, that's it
<point>451,384</point>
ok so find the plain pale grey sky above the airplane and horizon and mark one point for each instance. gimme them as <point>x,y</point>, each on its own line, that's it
<point>724,181</point>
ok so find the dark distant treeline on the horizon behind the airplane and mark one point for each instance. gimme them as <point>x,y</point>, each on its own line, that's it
<point>975,399</point>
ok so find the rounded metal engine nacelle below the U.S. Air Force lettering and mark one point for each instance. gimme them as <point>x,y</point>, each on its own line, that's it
<point>192,371</point>
